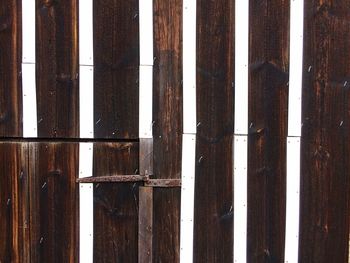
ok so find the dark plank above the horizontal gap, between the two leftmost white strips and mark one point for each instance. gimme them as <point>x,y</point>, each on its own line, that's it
<point>57,68</point>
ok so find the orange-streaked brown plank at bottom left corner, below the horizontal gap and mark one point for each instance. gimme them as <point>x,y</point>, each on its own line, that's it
<point>14,206</point>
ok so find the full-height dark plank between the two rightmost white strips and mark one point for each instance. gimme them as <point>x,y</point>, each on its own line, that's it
<point>268,108</point>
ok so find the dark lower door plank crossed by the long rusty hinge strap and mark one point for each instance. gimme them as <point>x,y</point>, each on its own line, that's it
<point>115,205</point>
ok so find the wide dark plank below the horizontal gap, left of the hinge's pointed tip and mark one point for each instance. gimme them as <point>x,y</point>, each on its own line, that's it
<point>53,202</point>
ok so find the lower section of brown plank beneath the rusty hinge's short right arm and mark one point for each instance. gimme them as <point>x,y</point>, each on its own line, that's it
<point>166,224</point>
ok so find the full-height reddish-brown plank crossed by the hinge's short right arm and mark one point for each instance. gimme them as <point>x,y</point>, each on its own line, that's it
<point>167,128</point>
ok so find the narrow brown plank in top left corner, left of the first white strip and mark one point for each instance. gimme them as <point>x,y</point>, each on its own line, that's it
<point>10,67</point>
